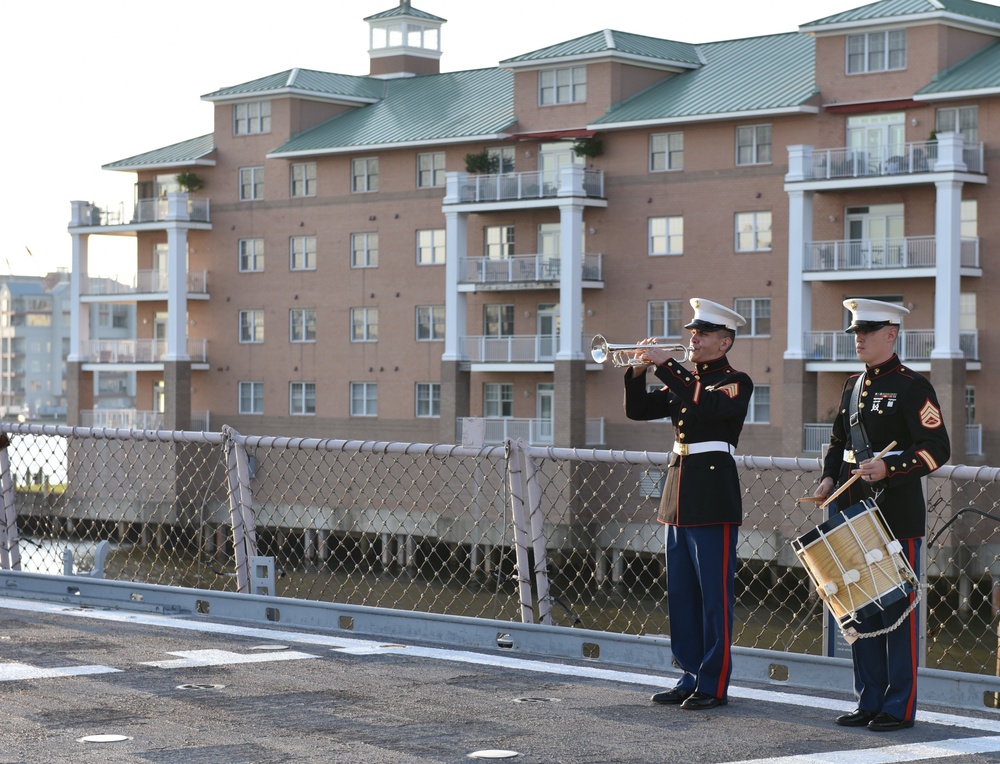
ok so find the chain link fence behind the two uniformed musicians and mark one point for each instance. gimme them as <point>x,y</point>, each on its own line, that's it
<point>561,536</point>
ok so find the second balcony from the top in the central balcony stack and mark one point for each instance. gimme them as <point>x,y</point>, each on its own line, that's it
<point>522,272</point>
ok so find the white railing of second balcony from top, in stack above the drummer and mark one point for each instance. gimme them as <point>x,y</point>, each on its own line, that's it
<point>874,254</point>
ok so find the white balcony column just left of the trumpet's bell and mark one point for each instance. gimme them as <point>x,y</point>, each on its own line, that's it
<point>570,281</point>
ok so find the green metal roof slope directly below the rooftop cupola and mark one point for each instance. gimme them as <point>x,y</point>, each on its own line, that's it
<point>431,108</point>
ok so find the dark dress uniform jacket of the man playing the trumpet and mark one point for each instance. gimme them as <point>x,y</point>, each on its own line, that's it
<point>707,404</point>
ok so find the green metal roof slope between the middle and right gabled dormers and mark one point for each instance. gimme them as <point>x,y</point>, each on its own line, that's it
<point>738,76</point>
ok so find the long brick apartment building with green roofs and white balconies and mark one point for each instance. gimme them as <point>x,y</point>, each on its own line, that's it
<point>385,256</point>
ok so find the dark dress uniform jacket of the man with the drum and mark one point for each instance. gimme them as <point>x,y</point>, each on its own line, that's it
<point>898,404</point>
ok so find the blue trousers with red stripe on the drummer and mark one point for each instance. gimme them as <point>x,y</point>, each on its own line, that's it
<point>885,667</point>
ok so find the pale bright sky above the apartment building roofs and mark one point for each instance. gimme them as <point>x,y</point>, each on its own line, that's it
<point>89,85</point>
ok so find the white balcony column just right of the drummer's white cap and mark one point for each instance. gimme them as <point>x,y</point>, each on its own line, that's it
<point>947,270</point>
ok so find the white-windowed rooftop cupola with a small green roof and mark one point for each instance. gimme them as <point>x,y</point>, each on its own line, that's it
<point>404,42</point>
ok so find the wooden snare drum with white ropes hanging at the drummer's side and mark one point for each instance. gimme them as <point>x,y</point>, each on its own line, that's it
<point>857,566</point>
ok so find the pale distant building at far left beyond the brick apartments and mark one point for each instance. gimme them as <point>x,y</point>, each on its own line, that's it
<point>35,341</point>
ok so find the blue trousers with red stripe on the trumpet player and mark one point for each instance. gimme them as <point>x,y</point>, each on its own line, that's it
<point>701,572</point>
